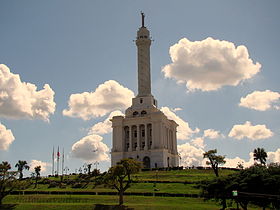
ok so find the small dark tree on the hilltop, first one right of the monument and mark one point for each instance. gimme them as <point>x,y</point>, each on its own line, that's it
<point>214,160</point>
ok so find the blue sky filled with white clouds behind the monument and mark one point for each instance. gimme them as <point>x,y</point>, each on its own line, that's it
<point>67,67</point>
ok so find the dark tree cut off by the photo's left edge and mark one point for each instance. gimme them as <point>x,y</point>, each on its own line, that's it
<point>8,180</point>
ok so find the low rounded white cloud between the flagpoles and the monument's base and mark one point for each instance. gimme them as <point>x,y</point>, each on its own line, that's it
<point>91,148</point>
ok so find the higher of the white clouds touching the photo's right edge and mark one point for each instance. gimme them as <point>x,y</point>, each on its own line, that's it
<point>260,100</point>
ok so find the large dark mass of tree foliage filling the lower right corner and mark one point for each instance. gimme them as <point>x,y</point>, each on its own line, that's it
<point>256,184</point>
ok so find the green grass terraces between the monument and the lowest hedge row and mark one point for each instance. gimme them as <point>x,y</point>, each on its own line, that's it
<point>190,176</point>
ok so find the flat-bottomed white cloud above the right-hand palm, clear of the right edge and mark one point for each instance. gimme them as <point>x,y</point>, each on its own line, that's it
<point>253,132</point>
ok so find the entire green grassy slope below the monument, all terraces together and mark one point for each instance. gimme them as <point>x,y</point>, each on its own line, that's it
<point>138,202</point>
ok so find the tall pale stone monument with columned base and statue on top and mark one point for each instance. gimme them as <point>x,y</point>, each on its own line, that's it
<point>144,133</point>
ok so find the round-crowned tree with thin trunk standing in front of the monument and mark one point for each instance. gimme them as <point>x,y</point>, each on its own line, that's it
<point>119,176</point>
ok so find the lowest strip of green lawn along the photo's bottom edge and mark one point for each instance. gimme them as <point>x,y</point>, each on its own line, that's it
<point>86,202</point>
